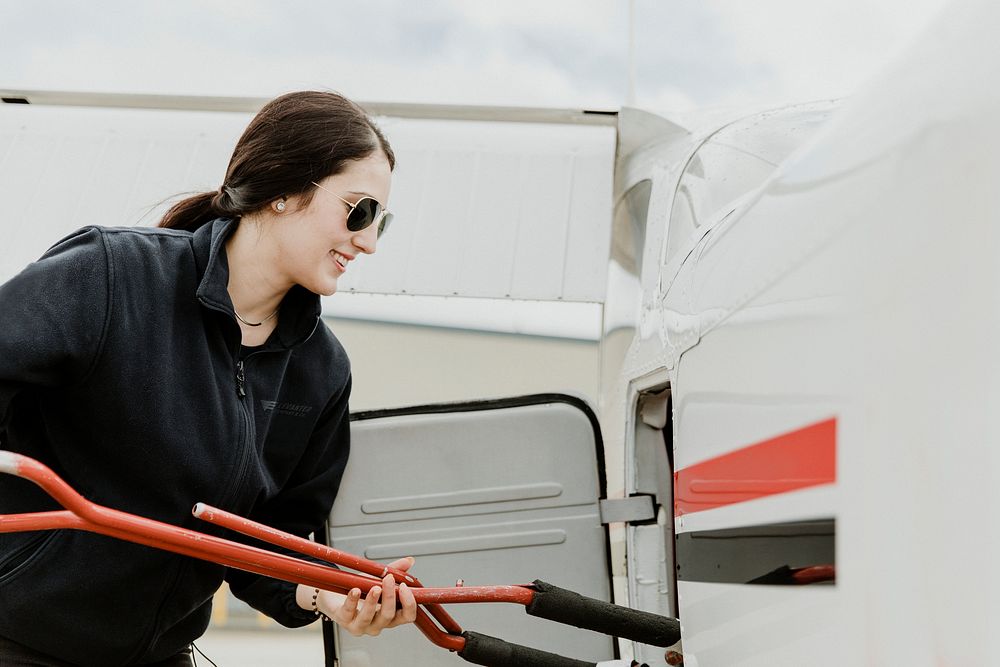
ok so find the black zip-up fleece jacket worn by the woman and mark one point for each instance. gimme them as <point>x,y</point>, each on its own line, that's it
<point>119,369</point>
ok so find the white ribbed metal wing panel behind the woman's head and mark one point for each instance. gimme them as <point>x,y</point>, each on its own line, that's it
<point>484,209</point>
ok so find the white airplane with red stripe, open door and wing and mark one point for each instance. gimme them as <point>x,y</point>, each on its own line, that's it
<point>793,449</point>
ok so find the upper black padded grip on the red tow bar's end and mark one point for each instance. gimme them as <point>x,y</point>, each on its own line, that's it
<point>558,604</point>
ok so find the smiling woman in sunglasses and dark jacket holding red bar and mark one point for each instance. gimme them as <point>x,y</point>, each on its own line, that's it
<point>152,368</point>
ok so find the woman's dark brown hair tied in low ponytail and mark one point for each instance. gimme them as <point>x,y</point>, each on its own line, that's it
<point>295,139</point>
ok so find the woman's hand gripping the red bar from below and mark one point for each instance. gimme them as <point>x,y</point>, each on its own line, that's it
<point>377,611</point>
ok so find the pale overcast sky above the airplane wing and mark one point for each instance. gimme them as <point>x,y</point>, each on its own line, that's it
<point>688,54</point>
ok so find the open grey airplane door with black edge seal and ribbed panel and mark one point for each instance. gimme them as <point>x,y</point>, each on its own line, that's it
<point>489,492</point>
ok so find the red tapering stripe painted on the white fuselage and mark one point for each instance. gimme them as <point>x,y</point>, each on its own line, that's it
<point>797,460</point>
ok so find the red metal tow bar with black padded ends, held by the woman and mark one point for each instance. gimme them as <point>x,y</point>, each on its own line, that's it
<point>540,599</point>
